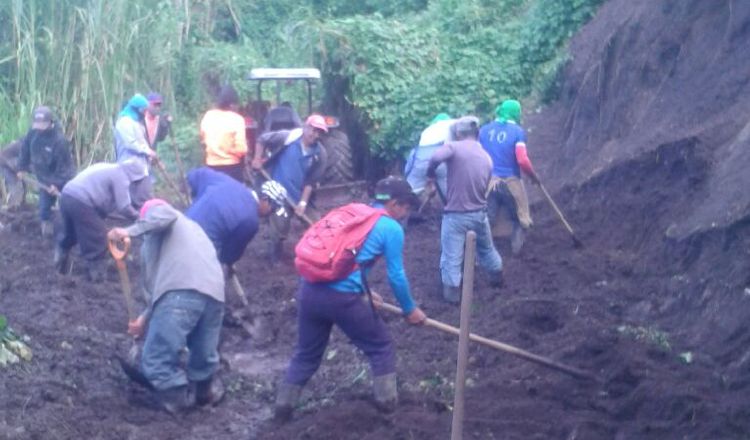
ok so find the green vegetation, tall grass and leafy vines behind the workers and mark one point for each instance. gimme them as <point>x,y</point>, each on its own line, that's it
<point>396,62</point>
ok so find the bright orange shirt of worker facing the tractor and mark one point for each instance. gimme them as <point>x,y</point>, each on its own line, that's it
<point>223,133</point>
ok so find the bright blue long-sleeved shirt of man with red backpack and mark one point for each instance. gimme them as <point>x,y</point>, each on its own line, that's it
<point>387,239</point>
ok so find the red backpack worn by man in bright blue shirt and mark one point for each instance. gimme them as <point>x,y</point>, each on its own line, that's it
<point>327,250</point>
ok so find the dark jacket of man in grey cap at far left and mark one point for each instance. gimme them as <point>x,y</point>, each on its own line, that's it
<point>46,153</point>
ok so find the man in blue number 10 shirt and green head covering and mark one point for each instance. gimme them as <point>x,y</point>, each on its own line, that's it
<point>505,141</point>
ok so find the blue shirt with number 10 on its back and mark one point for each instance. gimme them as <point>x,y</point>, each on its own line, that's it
<point>499,140</point>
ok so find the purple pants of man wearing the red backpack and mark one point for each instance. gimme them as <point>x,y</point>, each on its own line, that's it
<point>318,309</point>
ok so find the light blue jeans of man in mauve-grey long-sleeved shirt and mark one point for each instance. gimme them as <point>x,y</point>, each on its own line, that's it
<point>453,239</point>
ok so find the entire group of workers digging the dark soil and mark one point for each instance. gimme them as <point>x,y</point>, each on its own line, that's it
<point>186,257</point>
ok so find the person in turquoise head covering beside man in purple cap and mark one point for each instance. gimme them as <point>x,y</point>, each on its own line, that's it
<point>131,144</point>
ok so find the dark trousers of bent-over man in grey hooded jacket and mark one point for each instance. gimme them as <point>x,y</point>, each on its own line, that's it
<point>84,226</point>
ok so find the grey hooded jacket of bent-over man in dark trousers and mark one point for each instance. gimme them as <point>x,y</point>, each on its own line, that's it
<point>106,187</point>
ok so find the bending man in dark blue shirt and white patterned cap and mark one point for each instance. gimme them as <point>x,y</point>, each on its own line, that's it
<point>228,211</point>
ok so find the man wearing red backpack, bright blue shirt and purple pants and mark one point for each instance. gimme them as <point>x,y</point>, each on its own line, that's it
<point>326,297</point>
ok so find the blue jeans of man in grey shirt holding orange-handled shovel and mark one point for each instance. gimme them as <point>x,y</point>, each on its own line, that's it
<point>182,318</point>
